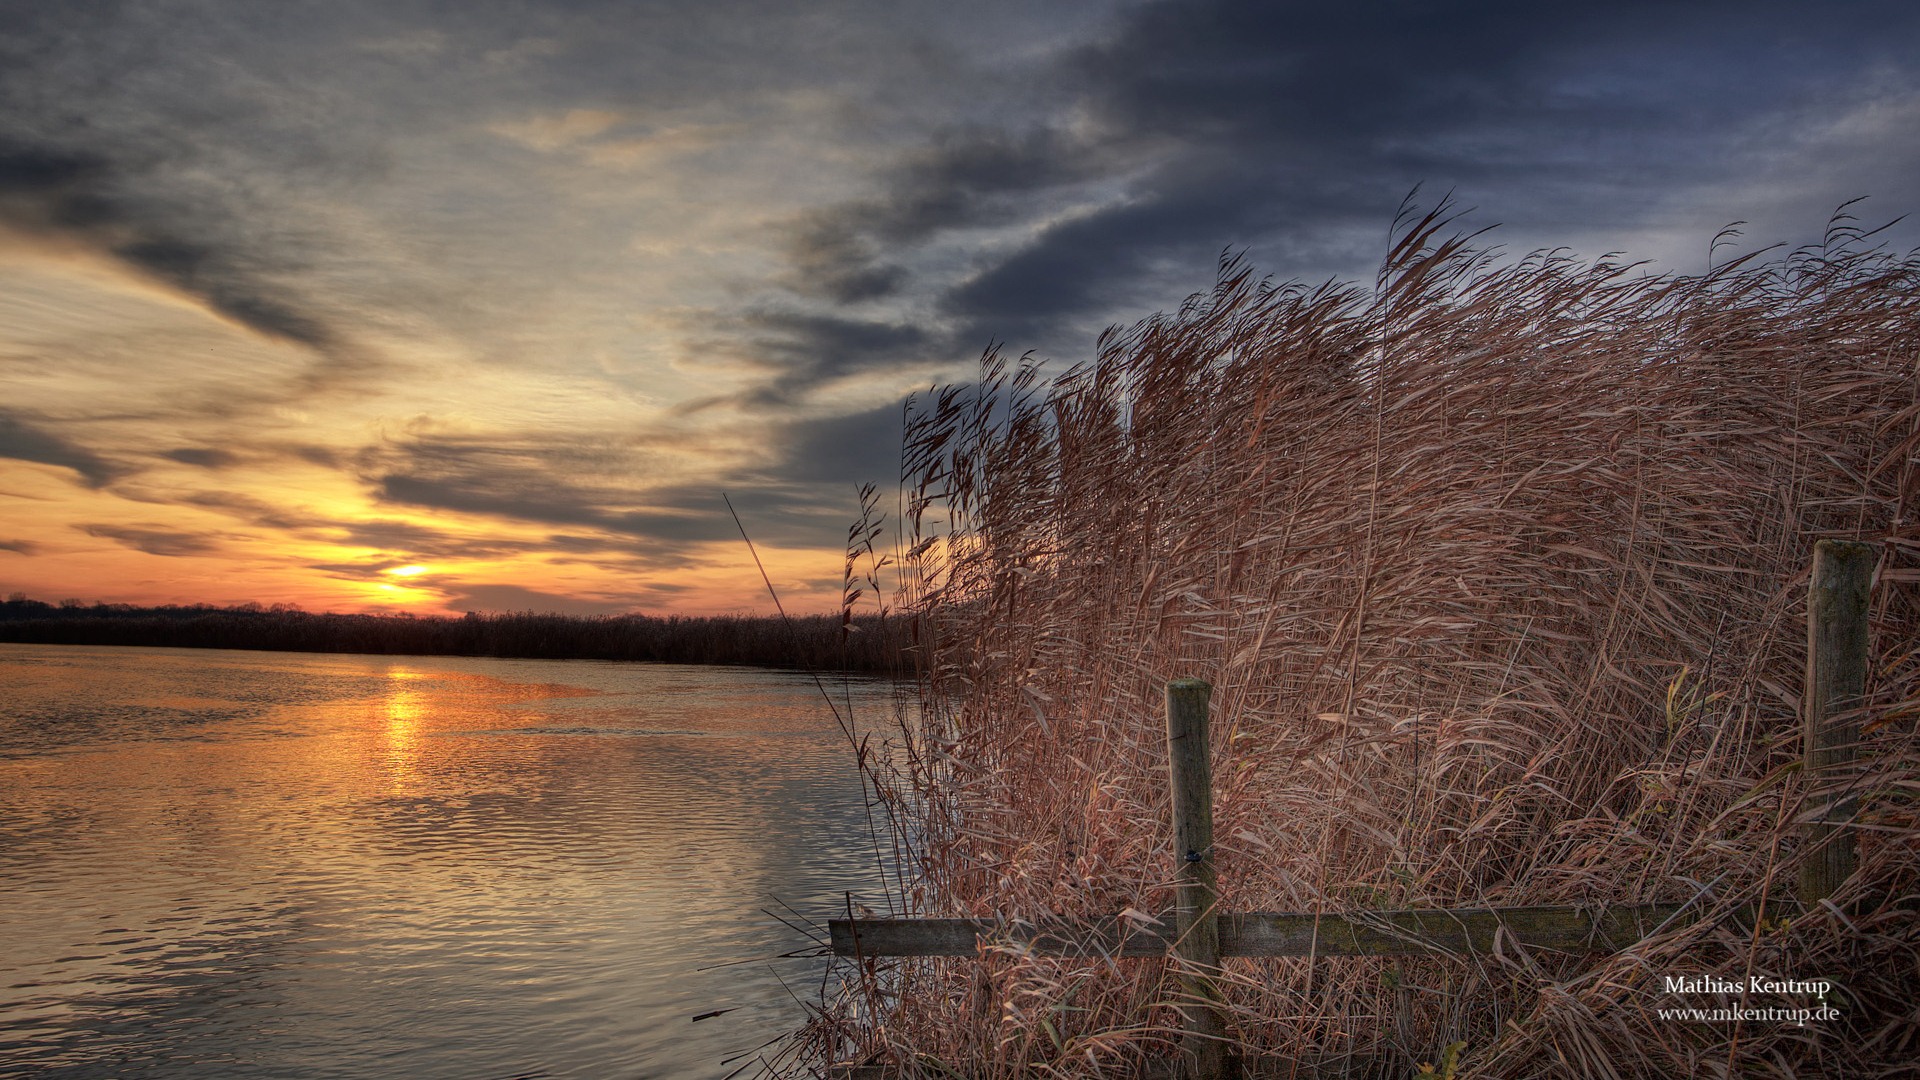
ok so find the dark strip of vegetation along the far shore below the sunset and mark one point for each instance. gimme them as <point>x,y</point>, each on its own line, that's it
<point>815,643</point>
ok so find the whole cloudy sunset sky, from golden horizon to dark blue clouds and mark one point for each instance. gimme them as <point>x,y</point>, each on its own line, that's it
<point>485,305</point>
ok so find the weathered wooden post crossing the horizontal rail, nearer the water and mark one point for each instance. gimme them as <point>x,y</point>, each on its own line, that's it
<point>1197,896</point>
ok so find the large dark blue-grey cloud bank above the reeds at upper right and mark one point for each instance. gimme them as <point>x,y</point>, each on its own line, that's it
<point>1295,130</point>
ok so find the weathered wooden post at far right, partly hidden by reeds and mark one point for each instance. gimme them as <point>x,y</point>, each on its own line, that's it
<point>1836,689</point>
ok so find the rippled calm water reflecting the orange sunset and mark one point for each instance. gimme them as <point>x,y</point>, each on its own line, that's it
<point>222,864</point>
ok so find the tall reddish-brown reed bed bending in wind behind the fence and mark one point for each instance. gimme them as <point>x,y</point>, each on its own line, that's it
<point>1499,570</point>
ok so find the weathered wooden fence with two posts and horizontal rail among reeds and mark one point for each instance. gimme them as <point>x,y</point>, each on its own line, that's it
<point>1195,935</point>
